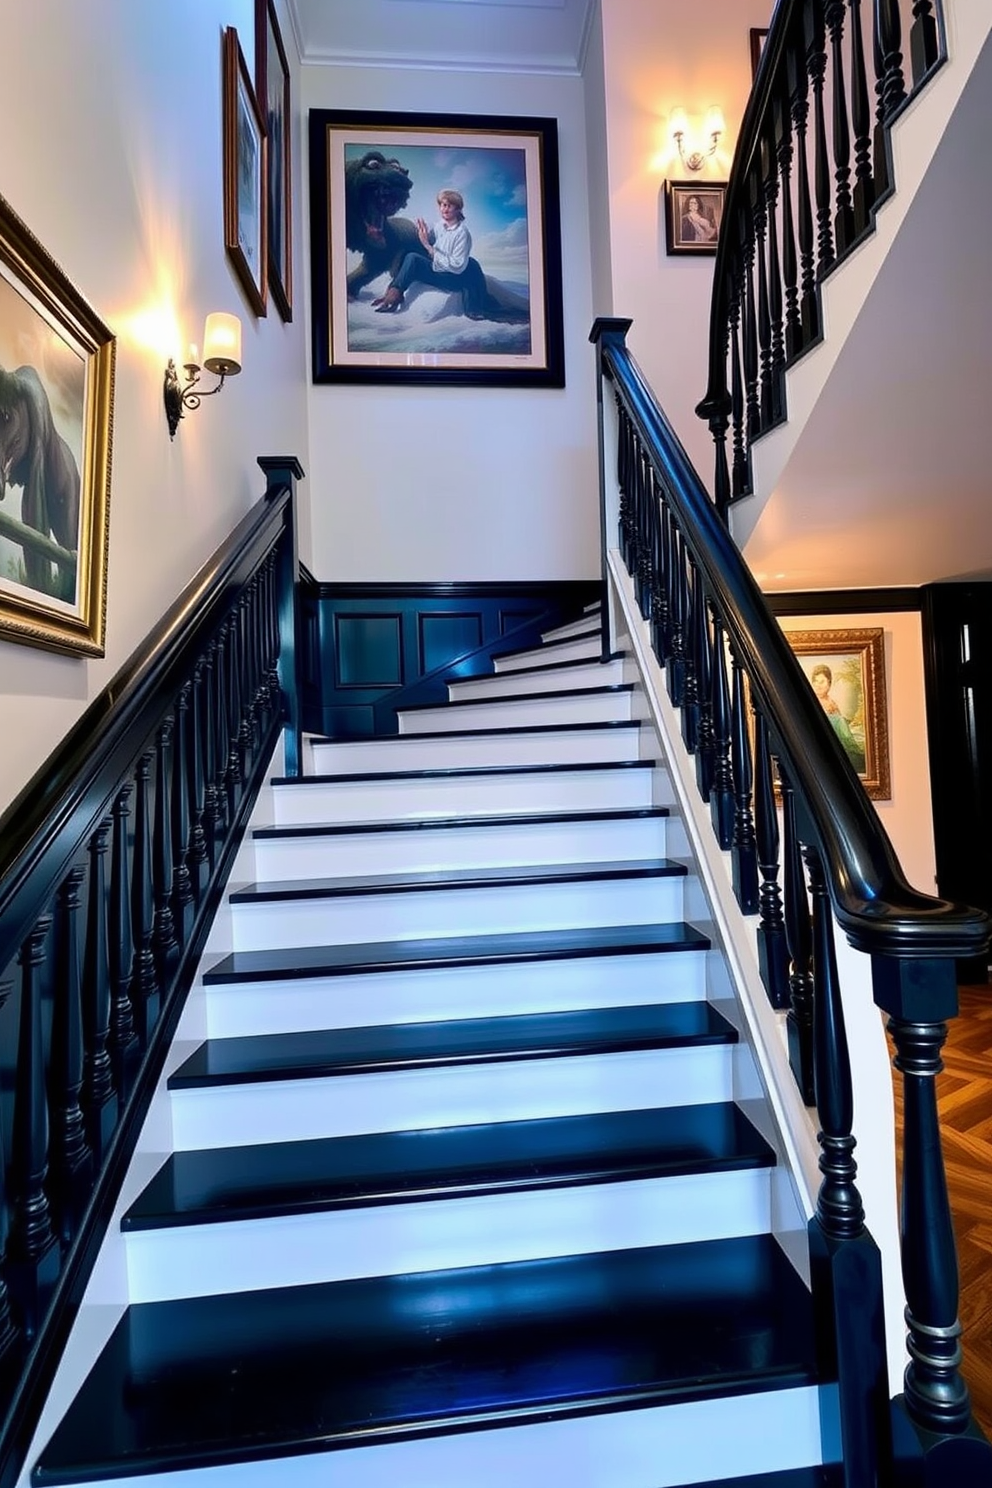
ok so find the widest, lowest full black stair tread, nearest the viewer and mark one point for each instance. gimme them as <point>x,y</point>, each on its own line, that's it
<point>252,1376</point>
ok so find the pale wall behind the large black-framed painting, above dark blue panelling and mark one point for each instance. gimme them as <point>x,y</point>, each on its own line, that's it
<point>457,484</point>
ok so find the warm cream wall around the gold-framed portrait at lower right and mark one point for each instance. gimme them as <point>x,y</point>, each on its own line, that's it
<point>908,816</point>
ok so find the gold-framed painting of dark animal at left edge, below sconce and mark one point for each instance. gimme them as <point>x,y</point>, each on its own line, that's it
<point>57,368</point>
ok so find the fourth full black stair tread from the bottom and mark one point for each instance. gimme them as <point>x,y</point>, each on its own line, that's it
<point>435,955</point>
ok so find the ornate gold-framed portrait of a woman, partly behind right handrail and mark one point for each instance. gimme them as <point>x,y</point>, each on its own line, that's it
<point>847,672</point>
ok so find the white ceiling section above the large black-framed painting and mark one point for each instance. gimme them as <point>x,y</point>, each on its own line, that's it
<point>521,36</point>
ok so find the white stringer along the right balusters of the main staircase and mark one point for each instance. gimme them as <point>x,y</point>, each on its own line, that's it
<point>764,1081</point>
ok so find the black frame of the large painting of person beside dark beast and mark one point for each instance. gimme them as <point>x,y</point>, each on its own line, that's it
<point>326,367</point>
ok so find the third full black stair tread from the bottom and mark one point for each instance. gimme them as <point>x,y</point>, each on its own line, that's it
<point>456,1041</point>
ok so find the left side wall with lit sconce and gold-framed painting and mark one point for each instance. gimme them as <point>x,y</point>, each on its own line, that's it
<point>115,109</point>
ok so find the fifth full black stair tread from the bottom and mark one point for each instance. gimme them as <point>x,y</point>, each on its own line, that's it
<point>514,876</point>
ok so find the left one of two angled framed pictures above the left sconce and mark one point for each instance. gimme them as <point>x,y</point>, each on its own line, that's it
<point>245,176</point>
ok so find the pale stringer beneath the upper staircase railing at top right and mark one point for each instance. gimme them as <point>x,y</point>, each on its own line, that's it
<point>915,139</point>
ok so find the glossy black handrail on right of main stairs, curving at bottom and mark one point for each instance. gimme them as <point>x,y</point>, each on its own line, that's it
<point>878,910</point>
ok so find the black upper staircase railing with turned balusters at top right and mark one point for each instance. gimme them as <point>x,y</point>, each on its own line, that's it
<point>811,169</point>
